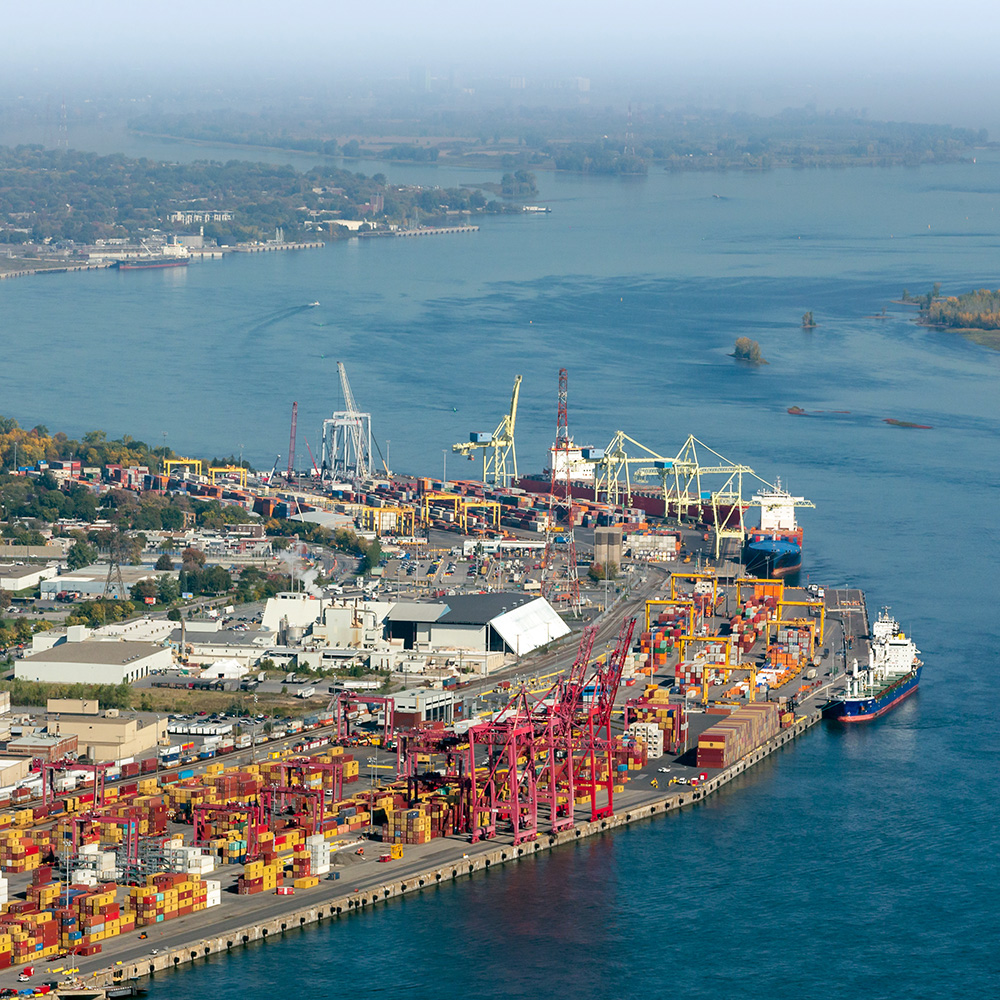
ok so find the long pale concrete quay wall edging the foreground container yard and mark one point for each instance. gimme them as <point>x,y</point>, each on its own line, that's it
<point>465,860</point>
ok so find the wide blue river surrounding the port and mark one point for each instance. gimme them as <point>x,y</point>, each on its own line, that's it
<point>860,862</point>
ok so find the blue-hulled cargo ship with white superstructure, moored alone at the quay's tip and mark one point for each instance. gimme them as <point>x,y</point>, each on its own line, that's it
<point>893,673</point>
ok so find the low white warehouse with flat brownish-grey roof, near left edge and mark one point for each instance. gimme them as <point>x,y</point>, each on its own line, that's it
<point>77,657</point>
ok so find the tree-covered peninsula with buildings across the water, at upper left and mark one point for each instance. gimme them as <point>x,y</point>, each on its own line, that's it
<point>51,195</point>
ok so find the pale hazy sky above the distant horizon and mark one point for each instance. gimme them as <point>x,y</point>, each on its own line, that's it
<point>861,53</point>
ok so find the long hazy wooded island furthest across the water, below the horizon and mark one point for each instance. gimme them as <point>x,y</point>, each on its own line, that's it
<point>584,139</point>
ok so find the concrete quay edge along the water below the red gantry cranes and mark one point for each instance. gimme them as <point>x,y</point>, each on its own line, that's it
<point>279,915</point>
